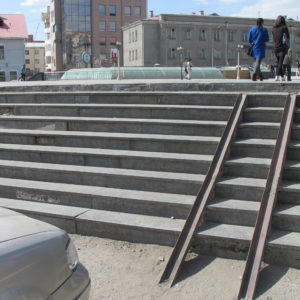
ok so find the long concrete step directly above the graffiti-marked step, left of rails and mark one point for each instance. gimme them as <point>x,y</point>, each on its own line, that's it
<point>153,181</point>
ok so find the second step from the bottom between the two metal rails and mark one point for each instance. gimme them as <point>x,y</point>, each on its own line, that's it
<point>233,211</point>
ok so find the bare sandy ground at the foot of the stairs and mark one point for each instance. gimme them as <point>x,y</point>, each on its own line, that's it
<point>121,270</point>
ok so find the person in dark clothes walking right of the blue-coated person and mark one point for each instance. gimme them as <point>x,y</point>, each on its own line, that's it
<point>281,39</point>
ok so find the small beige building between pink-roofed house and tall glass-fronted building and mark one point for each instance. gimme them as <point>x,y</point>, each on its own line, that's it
<point>34,56</point>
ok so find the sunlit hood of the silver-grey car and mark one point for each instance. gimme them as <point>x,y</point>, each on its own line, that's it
<point>17,225</point>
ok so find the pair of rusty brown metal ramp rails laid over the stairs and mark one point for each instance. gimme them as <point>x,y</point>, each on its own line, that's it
<point>268,201</point>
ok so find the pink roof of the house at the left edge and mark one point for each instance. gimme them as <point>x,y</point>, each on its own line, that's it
<point>13,27</point>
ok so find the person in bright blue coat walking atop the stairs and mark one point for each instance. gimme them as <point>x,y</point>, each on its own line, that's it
<point>258,36</point>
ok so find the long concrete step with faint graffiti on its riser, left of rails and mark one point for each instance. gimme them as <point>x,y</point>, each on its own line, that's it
<point>100,198</point>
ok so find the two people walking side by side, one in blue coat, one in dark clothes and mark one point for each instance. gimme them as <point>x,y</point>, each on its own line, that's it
<point>258,36</point>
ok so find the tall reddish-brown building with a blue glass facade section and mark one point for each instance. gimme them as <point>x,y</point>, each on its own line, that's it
<point>87,31</point>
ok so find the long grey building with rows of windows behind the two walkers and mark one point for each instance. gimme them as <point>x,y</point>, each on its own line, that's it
<point>210,40</point>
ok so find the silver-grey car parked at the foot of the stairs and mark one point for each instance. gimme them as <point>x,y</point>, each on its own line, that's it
<point>38,261</point>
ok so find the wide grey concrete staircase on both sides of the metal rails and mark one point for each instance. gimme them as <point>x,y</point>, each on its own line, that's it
<point>128,166</point>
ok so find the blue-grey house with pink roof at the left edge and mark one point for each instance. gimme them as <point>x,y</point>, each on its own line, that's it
<point>13,33</point>
